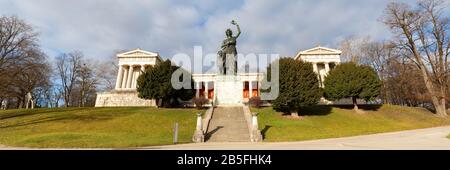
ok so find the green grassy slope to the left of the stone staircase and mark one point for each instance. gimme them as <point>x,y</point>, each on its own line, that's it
<point>95,127</point>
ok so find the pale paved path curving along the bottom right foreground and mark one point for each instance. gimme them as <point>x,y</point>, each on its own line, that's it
<point>432,138</point>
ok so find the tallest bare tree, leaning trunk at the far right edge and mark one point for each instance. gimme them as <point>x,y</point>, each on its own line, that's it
<point>423,33</point>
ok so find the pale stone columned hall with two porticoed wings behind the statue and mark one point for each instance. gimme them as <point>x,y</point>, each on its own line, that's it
<point>210,86</point>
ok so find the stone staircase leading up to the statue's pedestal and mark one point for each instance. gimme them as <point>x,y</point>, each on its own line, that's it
<point>228,124</point>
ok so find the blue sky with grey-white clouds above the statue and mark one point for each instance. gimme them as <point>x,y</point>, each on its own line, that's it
<point>100,27</point>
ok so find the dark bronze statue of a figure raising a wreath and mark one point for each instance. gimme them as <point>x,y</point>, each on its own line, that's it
<point>227,61</point>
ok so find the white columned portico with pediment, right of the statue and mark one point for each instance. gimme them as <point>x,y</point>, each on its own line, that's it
<point>323,60</point>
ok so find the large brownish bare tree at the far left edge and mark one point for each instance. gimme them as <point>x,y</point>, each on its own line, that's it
<point>23,66</point>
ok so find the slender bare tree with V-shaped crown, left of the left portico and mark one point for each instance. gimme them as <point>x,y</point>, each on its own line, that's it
<point>68,67</point>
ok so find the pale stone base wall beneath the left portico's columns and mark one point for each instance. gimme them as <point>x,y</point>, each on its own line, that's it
<point>122,99</point>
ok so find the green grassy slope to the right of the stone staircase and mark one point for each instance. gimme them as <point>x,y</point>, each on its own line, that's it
<point>331,122</point>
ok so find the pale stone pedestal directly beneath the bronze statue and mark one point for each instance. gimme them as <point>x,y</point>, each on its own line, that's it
<point>228,90</point>
